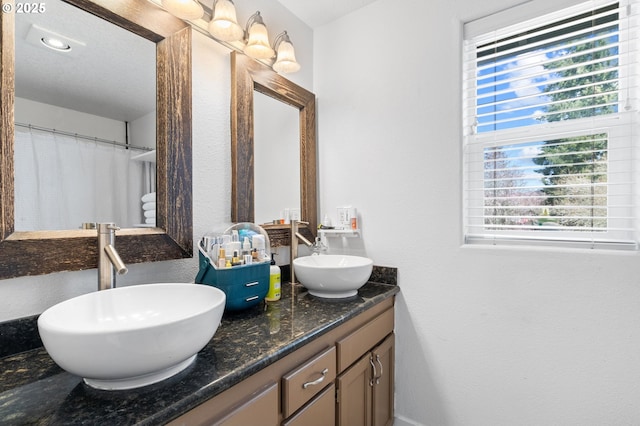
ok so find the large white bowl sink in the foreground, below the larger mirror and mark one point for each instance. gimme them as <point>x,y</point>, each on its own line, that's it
<point>133,336</point>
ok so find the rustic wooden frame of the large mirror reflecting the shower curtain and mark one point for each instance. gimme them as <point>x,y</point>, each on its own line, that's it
<point>43,252</point>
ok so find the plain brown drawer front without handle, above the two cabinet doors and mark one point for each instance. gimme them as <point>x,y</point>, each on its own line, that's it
<point>351,348</point>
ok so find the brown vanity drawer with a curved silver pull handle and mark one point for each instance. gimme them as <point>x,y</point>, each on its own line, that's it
<point>303,383</point>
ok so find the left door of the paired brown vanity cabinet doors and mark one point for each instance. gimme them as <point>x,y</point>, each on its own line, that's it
<point>354,394</point>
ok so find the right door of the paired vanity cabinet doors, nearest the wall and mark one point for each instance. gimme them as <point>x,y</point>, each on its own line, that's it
<point>383,388</point>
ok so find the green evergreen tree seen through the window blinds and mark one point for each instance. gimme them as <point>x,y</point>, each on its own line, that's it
<point>575,169</point>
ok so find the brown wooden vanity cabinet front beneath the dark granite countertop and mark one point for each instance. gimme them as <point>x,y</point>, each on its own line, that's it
<point>343,377</point>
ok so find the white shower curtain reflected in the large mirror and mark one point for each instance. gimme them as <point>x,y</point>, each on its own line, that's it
<point>63,181</point>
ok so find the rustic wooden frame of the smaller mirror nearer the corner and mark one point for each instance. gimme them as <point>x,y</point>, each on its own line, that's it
<point>248,75</point>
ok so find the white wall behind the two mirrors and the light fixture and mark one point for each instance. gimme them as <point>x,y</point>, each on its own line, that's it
<point>26,296</point>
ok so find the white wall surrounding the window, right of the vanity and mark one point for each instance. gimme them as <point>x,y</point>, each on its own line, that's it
<point>484,336</point>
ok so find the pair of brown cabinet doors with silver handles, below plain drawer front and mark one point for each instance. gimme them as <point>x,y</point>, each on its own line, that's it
<point>365,390</point>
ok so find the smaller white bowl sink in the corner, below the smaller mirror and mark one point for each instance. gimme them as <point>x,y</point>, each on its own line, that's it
<point>333,276</point>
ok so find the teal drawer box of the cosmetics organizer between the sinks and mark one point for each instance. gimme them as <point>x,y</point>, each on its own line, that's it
<point>245,286</point>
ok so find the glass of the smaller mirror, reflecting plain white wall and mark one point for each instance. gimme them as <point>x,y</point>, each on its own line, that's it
<point>277,159</point>
